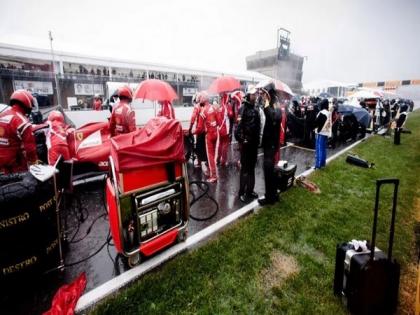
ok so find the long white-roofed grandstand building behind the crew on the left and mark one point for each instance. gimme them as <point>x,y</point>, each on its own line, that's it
<point>79,77</point>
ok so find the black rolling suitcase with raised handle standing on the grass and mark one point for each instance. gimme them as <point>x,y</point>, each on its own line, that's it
<point>368,281</point>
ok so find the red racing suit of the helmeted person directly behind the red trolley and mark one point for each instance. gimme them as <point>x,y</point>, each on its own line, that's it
<point>122,120</point>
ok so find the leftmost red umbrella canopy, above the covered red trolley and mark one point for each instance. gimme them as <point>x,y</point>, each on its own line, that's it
<point>155,90</point>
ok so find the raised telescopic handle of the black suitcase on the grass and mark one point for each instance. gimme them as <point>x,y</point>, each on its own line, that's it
<point>379,183</point>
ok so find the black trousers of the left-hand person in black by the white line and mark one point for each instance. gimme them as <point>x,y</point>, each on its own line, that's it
<point>249,153</point>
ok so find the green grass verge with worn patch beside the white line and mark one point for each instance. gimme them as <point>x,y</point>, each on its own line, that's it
<point>225,275</point>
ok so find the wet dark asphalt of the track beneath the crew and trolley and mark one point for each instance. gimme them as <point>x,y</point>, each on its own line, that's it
<point>88,229</point>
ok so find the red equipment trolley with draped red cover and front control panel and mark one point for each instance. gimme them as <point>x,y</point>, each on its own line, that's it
<point>147,189</point>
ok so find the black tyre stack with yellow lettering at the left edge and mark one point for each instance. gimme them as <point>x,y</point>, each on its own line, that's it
<point>29,238</point>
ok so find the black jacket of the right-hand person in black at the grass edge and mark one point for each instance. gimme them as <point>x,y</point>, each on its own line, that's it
<point>271,133</point>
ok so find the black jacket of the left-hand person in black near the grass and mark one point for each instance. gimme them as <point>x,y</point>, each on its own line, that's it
<point>248,129</point>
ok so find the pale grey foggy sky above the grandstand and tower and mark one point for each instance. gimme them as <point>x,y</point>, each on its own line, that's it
<point>349,41</point>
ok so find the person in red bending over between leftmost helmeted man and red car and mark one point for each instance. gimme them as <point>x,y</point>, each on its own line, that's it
<point>57,138</point>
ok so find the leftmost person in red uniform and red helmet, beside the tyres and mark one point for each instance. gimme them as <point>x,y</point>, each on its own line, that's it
<point>17,142</point>
